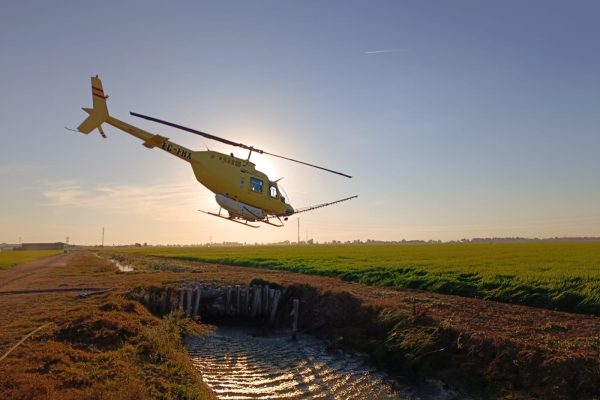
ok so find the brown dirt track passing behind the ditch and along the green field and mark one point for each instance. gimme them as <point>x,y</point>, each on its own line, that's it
<point>564,343</point>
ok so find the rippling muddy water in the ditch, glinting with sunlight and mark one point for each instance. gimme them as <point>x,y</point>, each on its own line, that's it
<point>238,366</point>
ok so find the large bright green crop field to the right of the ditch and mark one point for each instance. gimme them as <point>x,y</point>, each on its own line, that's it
<point>560,276</point>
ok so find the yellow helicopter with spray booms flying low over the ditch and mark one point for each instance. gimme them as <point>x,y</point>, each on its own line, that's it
<point>248,195</point>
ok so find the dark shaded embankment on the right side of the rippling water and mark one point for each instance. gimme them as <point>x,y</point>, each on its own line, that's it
<point>415,342</point>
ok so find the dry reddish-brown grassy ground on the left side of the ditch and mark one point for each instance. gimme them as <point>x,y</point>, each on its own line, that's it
<point>105,346</point>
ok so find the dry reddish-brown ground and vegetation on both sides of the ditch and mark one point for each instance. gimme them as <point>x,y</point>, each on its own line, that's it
<point>107,346</point>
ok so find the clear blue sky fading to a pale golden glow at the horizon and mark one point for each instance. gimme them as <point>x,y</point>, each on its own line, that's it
<point>456,119</point>
